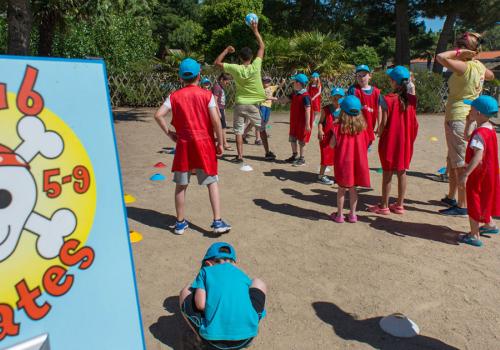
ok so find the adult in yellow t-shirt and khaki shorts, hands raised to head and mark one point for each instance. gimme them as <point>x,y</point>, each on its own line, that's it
<point>466,82</point>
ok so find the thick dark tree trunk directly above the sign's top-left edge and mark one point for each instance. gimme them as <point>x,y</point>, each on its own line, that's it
<point>19,27</point>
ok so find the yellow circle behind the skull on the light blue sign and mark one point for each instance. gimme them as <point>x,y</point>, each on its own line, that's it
<point>25,262</point>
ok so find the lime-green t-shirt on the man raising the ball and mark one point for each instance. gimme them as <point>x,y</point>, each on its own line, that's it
<point>248,79</point>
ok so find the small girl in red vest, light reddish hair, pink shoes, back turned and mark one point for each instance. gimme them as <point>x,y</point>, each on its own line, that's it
<point>351,159</point>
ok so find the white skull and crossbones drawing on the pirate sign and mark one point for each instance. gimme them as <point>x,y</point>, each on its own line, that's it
<point>18,193</point>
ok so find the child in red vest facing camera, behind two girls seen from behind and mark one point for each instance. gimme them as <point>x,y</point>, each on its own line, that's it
<point>370,99</point>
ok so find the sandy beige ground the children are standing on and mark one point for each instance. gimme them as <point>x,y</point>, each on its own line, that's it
<point>329,283</point>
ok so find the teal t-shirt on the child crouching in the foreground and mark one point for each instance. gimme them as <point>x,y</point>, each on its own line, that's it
<point>229,314</point>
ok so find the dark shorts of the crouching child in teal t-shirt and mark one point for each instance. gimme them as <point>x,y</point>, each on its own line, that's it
<point>194,316</point>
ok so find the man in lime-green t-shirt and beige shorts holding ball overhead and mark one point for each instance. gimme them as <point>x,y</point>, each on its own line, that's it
<point>249,92</point>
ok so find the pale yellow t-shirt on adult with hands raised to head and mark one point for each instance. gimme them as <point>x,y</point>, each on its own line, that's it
<point>467,86</point>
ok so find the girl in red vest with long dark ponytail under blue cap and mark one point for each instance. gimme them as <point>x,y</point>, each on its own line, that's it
<point>398,131</point>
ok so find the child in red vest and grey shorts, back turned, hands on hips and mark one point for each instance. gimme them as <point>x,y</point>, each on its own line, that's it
<point>195,118</point>
